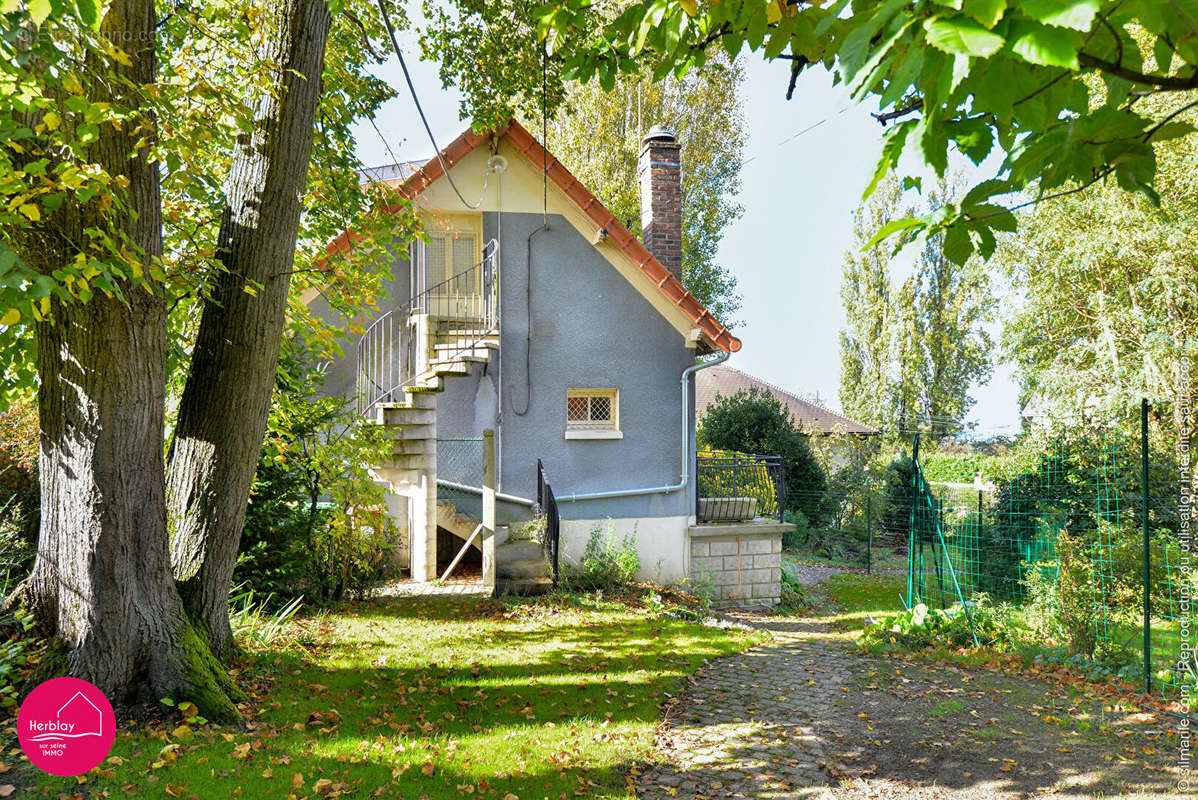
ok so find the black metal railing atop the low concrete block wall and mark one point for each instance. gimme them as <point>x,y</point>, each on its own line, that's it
<point>735,488</point>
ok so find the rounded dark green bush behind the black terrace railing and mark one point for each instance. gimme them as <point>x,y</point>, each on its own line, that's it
<point>755,422</point>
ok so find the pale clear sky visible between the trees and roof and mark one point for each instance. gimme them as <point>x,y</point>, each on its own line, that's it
<point>807,163</point>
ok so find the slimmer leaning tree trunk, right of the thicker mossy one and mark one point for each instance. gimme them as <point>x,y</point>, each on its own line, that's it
<point>222,416</point>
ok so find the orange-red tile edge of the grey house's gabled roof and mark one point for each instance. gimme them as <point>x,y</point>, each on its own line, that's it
<point>588,203</point>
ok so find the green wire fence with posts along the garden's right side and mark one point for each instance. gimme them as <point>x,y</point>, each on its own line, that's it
<point>1087,541</point>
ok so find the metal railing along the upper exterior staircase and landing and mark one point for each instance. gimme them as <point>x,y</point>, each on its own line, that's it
<point>464,310</point>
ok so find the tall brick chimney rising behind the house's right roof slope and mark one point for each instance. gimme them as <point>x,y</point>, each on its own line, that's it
<point>659,169</point>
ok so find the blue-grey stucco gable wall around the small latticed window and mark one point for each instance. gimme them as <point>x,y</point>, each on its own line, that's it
<point>590,329</point>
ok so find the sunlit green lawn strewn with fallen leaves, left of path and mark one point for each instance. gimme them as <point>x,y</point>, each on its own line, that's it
<point>432,698</point>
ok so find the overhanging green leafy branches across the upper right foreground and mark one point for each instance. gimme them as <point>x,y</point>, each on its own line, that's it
<point>1051,84</point>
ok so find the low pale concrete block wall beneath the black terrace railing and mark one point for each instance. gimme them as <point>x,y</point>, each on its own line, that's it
<point>743,567</point>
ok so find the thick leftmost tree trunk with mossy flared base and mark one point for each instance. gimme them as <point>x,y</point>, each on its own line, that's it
<point>102,585</point>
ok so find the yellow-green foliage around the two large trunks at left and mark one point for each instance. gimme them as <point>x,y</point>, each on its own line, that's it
<point>60,89</point>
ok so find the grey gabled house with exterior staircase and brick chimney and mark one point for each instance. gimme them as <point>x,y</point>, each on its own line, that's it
<point>537,316</point>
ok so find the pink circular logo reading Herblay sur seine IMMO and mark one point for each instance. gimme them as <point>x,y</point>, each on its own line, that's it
<point>66,726</point>
